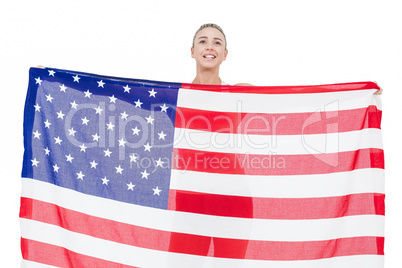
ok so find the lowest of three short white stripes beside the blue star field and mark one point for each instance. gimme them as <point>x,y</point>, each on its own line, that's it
<point>297,186</point>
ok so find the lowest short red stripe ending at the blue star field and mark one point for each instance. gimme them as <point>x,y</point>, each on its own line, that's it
<point>277,208</point>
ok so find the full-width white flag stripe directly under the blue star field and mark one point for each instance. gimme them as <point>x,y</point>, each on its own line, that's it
<point>228,227</point>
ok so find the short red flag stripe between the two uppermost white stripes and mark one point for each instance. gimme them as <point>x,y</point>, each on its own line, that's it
<point>278,124</point>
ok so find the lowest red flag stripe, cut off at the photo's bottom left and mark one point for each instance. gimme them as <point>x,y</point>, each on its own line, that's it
<point>61,257</point>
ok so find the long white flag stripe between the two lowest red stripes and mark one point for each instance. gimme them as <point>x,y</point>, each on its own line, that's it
<point>141,257</point>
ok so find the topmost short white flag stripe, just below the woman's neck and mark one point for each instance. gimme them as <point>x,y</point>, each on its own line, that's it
<point>275,103</point>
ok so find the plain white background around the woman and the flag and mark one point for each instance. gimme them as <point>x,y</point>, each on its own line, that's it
<point>270,43</point>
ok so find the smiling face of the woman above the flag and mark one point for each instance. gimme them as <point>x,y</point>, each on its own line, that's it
<point>209,49</point>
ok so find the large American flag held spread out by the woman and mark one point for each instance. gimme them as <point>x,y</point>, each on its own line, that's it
<point>122,172</point>
